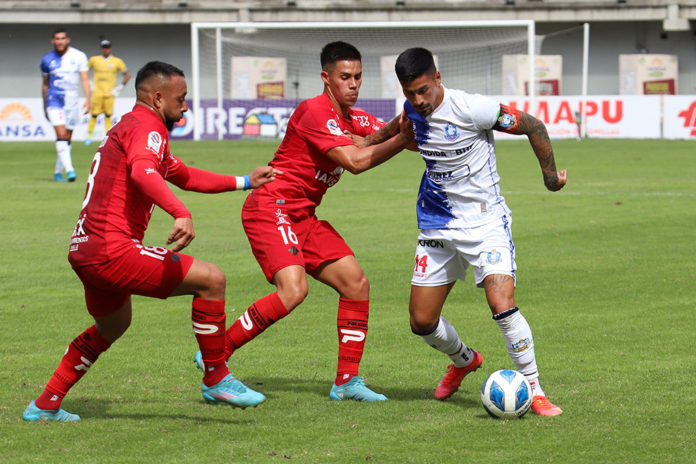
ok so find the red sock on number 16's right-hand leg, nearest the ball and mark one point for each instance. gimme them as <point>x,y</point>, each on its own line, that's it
<point>352,331</point>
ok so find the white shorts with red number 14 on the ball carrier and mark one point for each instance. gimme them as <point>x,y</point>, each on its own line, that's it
<point>444,255</point>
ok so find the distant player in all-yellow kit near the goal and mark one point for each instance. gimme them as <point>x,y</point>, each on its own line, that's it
<point>106,68</point>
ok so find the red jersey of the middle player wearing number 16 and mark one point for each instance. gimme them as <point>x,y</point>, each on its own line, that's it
<point>314,128</point>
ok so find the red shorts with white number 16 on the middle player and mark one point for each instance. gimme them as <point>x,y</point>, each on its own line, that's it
<point>280,237</point>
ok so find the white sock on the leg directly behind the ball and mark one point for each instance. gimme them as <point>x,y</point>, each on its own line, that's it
<point>520,345</point>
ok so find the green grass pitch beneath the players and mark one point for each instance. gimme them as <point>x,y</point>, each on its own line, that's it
<point>606,280</point>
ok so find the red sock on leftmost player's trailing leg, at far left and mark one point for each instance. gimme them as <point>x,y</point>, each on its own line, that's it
<point>78,358</point>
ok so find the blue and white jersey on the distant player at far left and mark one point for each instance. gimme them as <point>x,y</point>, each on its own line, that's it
<point>63,76</point>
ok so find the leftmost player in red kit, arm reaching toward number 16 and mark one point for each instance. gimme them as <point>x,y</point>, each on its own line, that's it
<point>126,180</point>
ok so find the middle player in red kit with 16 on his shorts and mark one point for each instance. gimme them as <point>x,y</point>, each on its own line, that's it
<point>286,237</point>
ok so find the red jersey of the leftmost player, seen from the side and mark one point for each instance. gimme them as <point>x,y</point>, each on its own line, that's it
<point>115,211</point>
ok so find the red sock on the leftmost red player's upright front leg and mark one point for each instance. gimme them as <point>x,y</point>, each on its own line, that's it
<point>208,318</point>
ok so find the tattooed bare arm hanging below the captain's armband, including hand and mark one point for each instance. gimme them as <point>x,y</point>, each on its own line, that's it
<point>535,130</point>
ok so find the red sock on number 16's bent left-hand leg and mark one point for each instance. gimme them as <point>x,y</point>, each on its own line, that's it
<point>255,320</point>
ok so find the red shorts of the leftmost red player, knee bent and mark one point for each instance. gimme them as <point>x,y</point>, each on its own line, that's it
<point>141,270</point>
